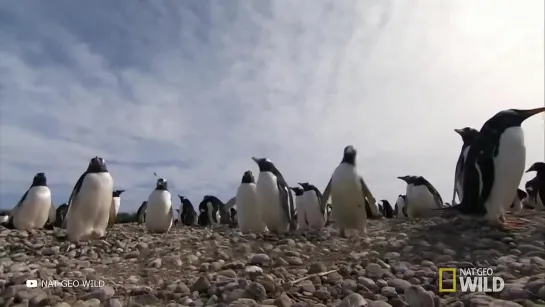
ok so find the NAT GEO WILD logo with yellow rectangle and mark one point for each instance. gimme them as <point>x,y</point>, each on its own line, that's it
<point>469,280</point>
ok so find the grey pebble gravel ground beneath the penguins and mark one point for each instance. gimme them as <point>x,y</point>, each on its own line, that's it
<point>394,265</point>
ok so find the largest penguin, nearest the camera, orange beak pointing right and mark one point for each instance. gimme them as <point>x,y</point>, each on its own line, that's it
<point>495,165</point>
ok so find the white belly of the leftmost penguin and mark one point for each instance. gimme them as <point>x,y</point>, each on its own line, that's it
<point>33,213</point>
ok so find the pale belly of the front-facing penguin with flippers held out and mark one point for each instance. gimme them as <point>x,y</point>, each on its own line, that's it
<point>348,203</point>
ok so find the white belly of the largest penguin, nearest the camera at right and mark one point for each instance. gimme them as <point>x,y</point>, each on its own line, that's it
<point>508,170</point>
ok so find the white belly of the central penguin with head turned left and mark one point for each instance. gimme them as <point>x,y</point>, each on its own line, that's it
<point>269,200</point>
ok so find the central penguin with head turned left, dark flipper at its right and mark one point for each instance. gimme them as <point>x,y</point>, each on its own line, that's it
<point>274,197</point>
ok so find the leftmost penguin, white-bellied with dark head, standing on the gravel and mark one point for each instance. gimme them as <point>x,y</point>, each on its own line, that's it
<point>32,210</point>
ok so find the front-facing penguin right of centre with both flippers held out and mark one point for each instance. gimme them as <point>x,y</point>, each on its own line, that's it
<point>349,194</point>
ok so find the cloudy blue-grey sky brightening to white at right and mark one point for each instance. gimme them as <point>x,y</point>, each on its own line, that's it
<point>193,89</point>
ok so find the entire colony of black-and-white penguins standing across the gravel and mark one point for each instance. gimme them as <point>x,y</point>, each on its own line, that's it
<point>488,172</point>
